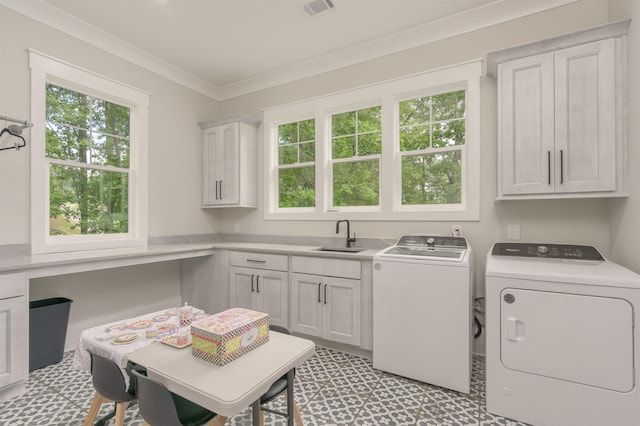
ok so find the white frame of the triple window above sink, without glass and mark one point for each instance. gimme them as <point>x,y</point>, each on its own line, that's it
<point>388,94</point>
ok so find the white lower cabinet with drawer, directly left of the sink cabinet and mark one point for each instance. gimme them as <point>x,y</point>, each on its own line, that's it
<point>264,288</point>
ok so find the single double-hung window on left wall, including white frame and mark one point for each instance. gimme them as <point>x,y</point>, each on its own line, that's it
<point>88,160</point>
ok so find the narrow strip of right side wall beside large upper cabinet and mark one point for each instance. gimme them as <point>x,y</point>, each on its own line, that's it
<point>625,230</point>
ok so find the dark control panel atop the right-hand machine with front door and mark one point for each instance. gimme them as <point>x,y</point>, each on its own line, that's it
<point>550,251</point>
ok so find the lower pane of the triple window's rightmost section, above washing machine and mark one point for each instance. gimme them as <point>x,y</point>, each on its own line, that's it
<point>432,178</point>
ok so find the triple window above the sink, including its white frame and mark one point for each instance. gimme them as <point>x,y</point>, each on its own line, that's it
<point>407,149</point>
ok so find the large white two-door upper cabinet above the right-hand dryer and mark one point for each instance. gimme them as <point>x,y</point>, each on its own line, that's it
<point>561,116</point>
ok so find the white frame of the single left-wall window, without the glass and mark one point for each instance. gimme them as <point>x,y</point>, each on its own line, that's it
<point>46,69</point>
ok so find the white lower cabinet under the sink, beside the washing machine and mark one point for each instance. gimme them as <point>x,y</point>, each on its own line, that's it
<point>327,306</point>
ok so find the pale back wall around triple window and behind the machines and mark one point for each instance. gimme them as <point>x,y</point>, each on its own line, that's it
<point>567,221</point>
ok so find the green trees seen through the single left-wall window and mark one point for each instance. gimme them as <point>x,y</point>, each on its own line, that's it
<point>87,144</point>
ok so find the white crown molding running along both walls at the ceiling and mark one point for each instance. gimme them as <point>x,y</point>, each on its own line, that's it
<point>494,13</point>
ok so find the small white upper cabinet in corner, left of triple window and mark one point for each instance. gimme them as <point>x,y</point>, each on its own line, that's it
<point>229,162</point>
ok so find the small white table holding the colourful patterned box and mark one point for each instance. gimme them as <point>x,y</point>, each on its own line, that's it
<point>229,389</point>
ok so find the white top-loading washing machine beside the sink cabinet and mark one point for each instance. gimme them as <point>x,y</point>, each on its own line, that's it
<point>422,310</point>
